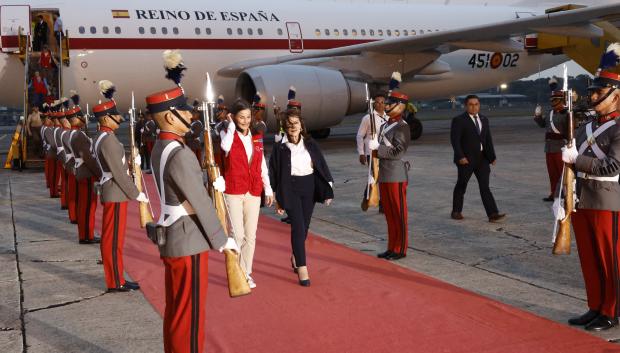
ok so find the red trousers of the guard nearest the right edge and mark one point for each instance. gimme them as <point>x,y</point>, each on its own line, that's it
<point>596,234</point>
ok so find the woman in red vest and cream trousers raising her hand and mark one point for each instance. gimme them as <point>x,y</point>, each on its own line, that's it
<point>246,176</point>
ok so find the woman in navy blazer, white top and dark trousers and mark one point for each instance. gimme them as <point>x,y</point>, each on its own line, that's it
<point>300,178</point>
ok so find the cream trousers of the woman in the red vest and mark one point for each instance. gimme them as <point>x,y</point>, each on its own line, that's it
<point>244,212</point>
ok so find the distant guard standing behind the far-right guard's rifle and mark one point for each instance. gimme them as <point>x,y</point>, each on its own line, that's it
<point>555,136</point>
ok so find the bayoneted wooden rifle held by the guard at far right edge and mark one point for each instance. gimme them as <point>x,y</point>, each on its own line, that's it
<point>561,238</point>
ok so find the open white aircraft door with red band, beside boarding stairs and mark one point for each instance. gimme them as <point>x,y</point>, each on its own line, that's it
<point>12,18</point>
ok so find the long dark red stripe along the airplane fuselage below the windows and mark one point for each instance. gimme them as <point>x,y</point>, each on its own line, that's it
<point>213,44</point>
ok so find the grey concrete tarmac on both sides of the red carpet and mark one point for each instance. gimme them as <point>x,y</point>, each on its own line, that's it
<point>53,294</point>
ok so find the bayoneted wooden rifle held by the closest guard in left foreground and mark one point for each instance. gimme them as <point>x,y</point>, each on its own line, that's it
<point>237,284</point>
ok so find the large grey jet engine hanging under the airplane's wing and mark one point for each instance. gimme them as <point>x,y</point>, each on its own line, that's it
<point>326,95</point>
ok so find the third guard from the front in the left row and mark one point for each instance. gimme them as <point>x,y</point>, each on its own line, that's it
<point>86,173</point>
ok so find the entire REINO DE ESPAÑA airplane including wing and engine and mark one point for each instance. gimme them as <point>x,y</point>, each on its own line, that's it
<point>327,50</point>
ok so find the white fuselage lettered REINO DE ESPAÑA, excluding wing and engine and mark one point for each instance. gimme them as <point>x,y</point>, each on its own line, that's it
<point>212,36</point>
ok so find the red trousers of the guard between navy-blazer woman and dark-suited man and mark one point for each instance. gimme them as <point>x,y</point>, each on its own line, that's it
<point>394,201</point>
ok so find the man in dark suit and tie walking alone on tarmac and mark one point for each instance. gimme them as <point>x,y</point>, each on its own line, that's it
<point>470,136</point>
